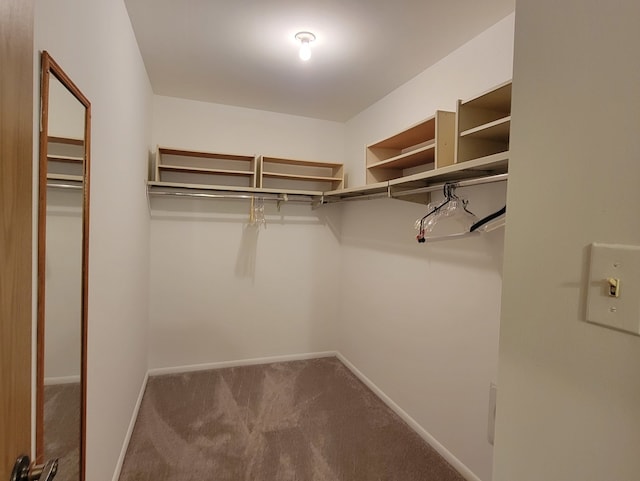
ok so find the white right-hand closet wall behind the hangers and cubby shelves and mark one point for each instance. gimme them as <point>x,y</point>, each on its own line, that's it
<point>421,321</point>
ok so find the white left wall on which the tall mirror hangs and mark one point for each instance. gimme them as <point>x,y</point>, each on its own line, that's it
<point>93,42</point>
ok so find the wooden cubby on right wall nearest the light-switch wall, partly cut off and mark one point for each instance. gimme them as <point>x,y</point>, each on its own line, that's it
<point>483,124</point>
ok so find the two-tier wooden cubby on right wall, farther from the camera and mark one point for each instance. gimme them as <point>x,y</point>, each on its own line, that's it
<point>425,146</point>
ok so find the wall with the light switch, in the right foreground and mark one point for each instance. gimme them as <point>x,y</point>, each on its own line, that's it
<point>569,392</point>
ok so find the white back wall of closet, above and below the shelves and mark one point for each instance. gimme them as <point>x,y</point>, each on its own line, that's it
<point>223,291</point>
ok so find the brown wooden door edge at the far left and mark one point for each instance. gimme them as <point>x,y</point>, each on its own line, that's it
<point>16,226</point>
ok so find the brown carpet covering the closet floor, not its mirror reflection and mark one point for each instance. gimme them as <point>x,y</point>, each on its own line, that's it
<point>302,420</point>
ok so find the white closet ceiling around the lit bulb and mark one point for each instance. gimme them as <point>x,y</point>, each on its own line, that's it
<point>243,52</point>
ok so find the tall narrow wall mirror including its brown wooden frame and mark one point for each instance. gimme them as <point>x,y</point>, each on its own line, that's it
<point>63,227</point>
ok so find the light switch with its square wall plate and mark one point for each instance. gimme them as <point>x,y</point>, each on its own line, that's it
<point>613,297</point>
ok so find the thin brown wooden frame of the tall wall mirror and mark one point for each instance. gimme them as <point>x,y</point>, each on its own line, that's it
<point>50,67</point>
